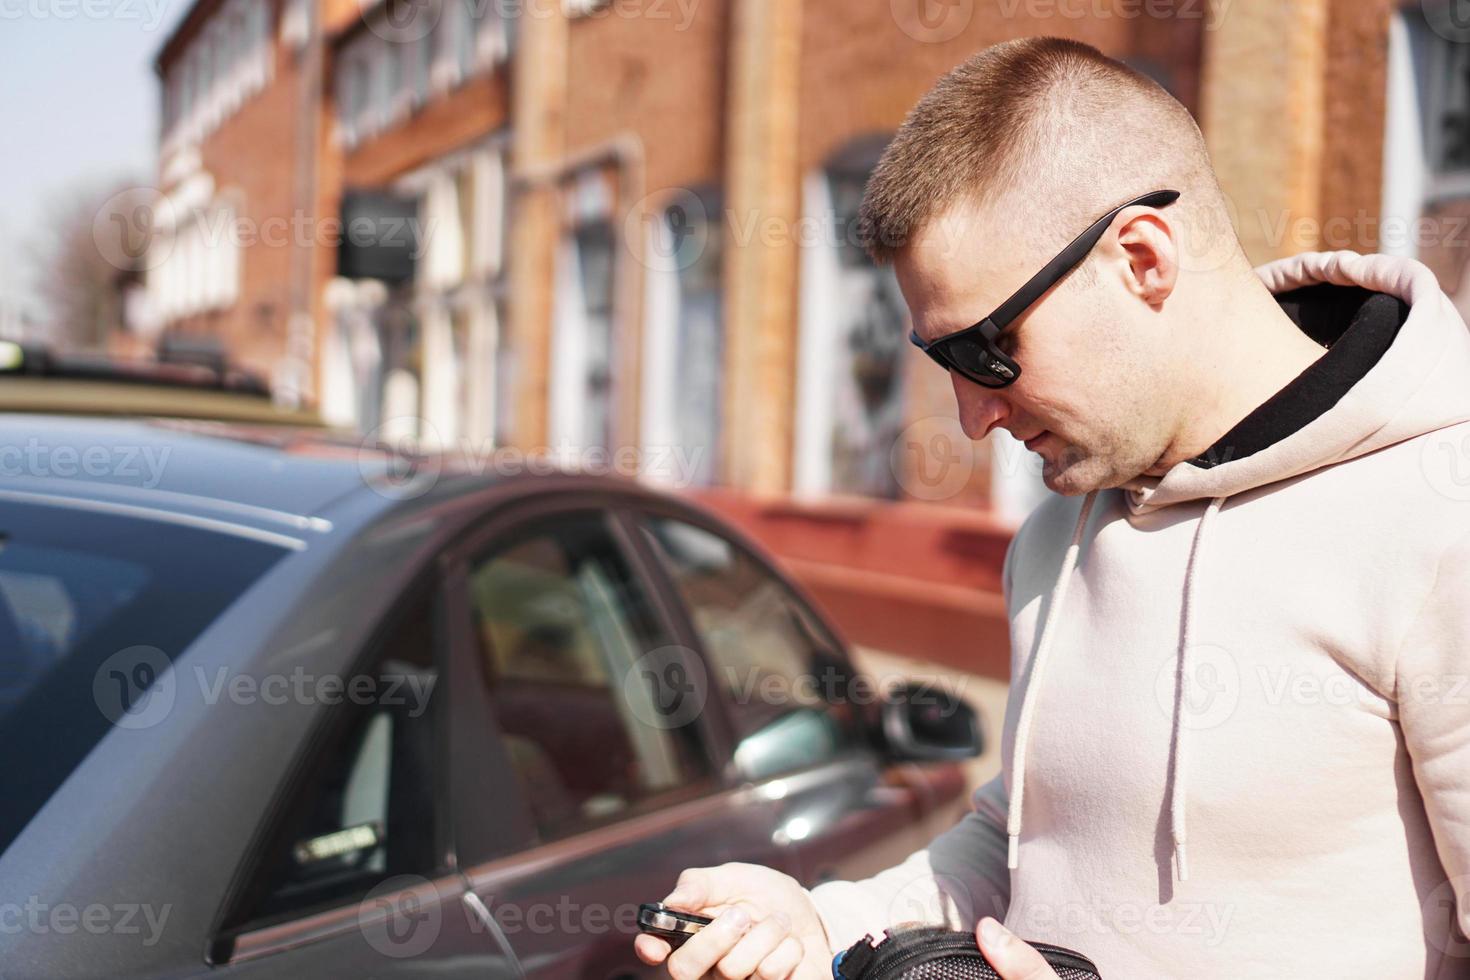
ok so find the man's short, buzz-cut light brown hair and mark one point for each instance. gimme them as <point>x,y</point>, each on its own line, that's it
<point>1046,124</point>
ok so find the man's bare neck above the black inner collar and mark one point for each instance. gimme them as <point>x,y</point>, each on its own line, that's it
<point>1258,353</point>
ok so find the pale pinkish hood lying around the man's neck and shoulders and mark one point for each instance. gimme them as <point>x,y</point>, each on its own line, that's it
<point>1415,389</point>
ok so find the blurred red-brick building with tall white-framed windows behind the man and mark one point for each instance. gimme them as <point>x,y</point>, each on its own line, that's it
<point>634,231</point>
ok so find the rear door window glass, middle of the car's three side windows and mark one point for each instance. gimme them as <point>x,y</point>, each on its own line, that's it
<point>564,630</point>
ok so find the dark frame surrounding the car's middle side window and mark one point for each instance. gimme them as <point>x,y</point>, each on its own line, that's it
<point>515,831</point>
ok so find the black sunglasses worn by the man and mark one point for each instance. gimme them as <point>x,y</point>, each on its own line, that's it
<point>974,353</point>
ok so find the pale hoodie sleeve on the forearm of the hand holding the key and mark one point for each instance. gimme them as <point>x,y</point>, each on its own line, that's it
<point>953,882</point>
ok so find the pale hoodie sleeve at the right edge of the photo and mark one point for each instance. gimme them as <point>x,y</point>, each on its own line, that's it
<point>1433,690</point>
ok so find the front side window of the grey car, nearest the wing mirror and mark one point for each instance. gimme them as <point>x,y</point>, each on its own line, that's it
<point>789,684</point>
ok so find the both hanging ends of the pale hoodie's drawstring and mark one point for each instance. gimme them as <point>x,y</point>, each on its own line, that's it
<point>1028,706</point>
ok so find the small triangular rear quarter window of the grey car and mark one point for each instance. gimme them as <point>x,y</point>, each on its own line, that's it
<point>367,809</point>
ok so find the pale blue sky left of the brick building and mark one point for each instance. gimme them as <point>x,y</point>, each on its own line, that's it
<point>79,107</point>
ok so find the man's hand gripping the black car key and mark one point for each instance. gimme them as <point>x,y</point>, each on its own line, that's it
<point>765,926</point>
